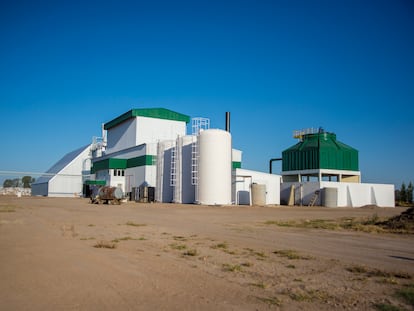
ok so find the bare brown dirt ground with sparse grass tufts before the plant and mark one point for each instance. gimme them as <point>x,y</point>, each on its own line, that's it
<point>67,254</point>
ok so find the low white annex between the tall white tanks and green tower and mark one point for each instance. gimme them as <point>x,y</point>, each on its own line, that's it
<point>241,193</point>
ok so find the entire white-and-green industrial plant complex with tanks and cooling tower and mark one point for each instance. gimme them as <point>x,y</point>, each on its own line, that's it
<point>151,157</point>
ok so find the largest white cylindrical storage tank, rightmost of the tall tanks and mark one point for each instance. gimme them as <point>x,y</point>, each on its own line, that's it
<point>214,167</point>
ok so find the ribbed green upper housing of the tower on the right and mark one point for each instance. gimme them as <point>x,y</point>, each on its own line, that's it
<point>320,151</point>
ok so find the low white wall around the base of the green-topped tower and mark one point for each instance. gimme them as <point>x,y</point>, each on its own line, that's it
<point>349,194</point>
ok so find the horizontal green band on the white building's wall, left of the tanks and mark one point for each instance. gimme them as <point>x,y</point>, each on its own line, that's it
<point>113,163</point>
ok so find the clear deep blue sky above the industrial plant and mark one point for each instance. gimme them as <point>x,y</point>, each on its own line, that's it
<point>277,66</point>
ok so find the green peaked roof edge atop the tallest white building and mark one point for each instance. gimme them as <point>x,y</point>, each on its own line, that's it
<point>158,113</point>
